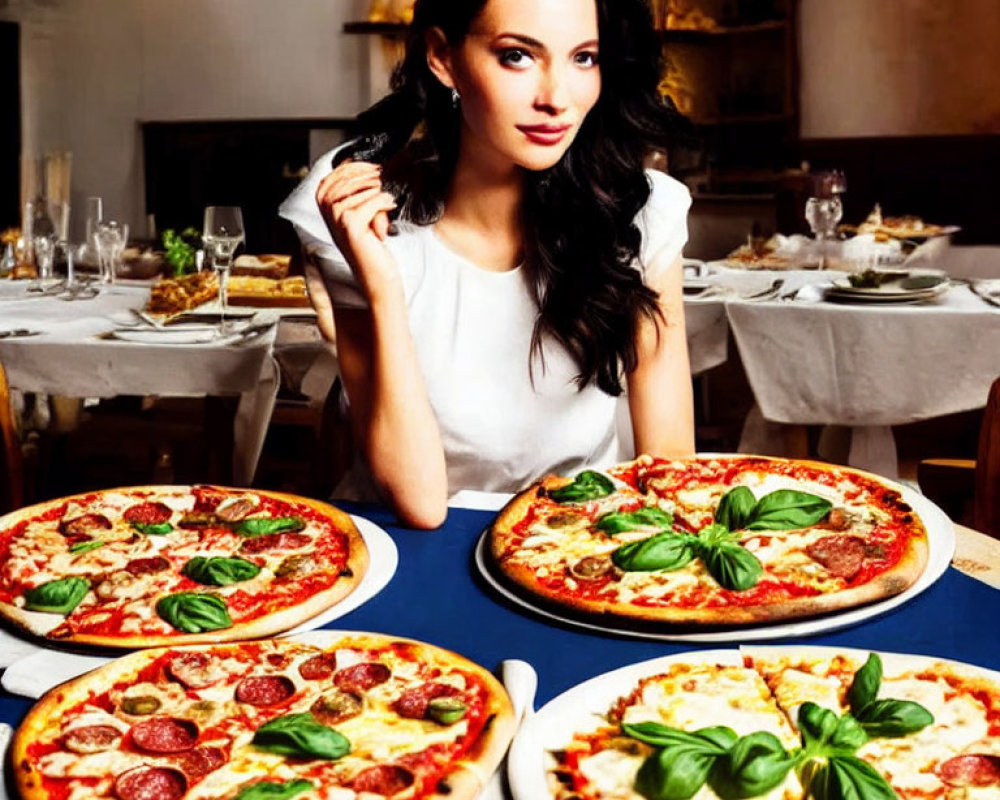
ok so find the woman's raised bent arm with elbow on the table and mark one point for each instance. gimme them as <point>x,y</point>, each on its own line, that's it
<point>390,411</point>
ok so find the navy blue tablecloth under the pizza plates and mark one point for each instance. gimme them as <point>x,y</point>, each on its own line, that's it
<point>438,596</point>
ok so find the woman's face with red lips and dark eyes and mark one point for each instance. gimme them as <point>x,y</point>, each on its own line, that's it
<point>527,74</point>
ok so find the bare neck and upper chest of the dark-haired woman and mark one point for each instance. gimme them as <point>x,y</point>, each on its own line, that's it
<point>481,219</point>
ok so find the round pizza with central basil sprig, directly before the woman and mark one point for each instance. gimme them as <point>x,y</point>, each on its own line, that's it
<point>729,540</point>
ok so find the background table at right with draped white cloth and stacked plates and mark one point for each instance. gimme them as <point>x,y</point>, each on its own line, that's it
<point>813,359</point>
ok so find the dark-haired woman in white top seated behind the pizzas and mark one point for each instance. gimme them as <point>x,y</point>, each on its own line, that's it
<point>484,339</point>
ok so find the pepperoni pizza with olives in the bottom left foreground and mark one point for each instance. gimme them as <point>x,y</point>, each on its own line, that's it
<point>334,715</point>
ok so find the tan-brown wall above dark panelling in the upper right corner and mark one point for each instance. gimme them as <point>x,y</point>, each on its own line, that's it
<point>899,67</point>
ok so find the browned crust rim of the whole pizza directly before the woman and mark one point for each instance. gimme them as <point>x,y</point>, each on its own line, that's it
<point>523,579</point>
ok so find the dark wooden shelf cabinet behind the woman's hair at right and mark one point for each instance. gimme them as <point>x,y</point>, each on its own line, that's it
<point>732,70</point>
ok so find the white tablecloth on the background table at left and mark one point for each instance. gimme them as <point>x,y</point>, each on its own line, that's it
<point>71,358</point>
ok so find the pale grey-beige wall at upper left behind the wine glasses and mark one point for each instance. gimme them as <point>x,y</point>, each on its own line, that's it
<point>93,69</point>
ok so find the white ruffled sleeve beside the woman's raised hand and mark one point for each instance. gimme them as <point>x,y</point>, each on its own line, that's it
<point>301,209</point>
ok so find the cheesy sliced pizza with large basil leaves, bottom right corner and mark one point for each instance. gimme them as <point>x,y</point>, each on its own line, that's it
<point>784,724</point>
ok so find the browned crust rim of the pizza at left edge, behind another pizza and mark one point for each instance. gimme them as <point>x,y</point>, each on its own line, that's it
<point>41,624</point>
